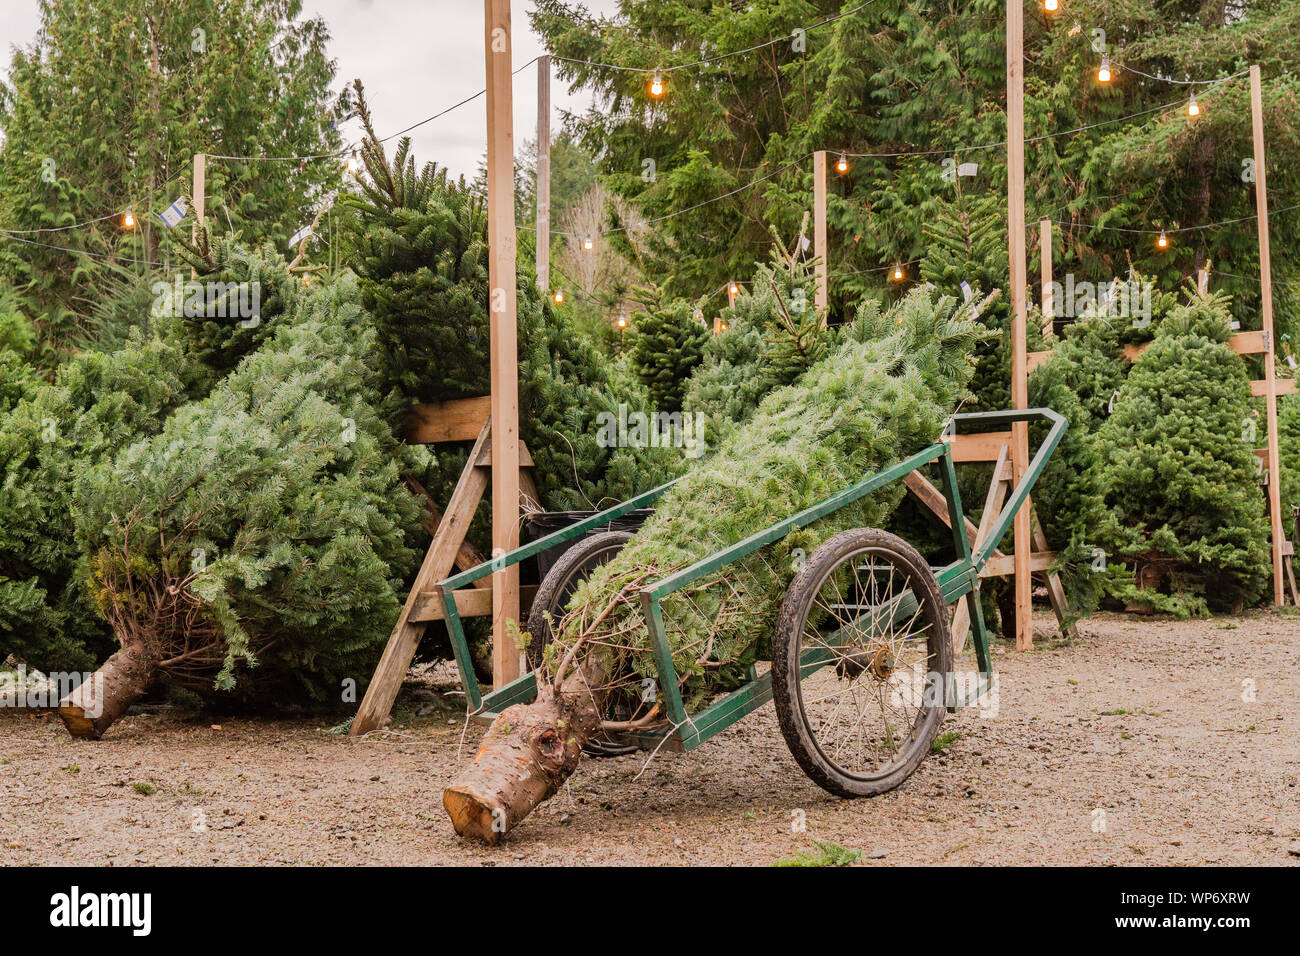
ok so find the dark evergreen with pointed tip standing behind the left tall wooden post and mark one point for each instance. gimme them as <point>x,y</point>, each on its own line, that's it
<point>421,249</point>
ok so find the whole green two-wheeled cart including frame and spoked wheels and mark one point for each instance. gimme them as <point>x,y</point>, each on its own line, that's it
<point>863,659</point>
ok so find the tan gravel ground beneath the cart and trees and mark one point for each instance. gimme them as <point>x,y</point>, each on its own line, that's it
<point>1145,742</point>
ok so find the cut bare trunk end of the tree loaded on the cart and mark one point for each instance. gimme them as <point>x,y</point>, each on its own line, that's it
<point>527,754</point>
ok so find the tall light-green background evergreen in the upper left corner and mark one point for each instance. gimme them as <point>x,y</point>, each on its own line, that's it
<point>103,113</point>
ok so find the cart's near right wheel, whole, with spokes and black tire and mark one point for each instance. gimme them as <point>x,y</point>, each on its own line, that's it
<point>860,663</point>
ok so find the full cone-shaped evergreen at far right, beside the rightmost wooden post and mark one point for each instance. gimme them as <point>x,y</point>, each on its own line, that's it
<point>1180,475</point>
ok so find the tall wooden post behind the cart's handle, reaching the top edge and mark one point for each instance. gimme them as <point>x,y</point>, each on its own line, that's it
<point>1020,318</point>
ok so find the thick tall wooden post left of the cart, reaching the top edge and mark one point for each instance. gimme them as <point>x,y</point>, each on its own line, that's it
<point>505,352</point>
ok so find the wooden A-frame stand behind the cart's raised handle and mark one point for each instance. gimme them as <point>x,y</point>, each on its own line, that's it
<point>993,448</point>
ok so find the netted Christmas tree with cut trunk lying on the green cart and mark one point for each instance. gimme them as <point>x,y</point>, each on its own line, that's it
<point>883,393</point>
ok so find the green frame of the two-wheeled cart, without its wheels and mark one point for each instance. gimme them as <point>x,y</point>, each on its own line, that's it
<point>686,732</point>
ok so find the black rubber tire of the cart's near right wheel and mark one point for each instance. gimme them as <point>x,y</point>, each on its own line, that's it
<point>787,648</point>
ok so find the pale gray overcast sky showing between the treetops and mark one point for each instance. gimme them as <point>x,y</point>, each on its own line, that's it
<point>417,58</point>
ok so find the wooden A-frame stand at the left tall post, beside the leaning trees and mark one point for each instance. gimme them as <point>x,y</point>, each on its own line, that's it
<point>448,550</point>
